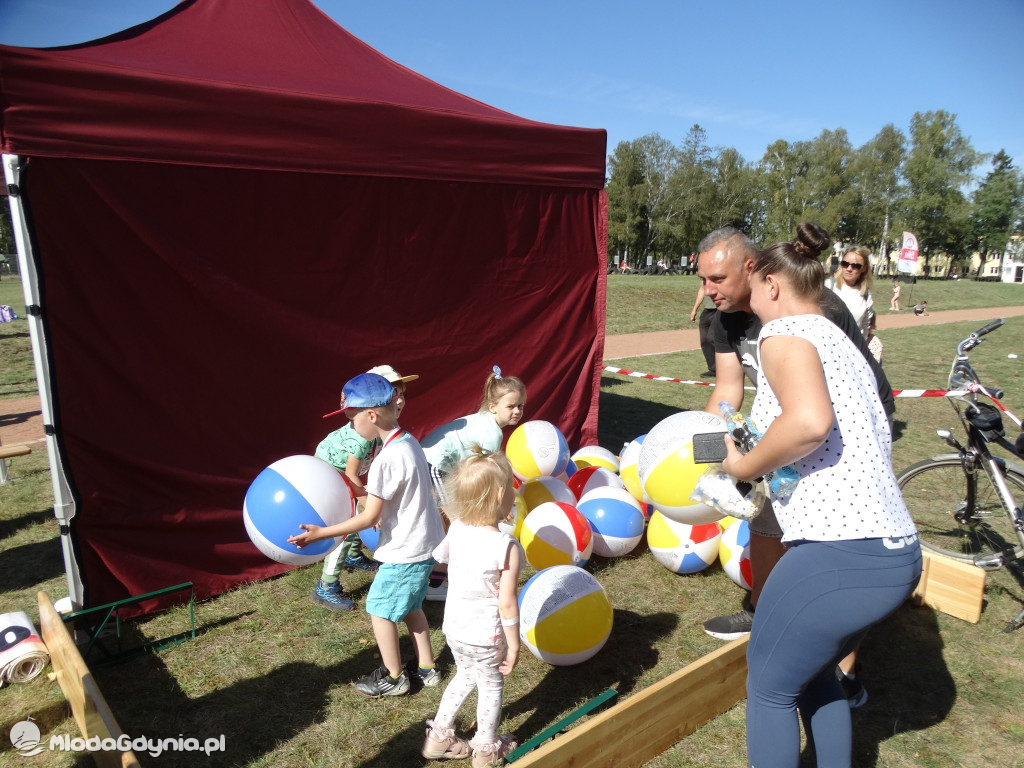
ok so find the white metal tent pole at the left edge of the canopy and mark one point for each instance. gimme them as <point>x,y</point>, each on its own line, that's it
<point>64,502</point>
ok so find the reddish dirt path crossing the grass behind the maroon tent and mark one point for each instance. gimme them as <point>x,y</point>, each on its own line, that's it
<point>21,420</point>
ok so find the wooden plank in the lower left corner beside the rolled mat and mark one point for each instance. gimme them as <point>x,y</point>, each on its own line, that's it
<point>90,708</point>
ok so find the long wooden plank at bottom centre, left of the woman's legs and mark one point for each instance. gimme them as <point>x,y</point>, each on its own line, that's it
<point>644,727</point>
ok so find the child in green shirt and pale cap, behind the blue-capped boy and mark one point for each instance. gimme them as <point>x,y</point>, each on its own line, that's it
<point>350,453</point>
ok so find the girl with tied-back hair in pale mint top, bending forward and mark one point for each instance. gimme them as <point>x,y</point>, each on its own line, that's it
<point>503,404</point>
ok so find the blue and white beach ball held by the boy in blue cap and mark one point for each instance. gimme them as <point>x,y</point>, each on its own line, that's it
<point>291,492</point>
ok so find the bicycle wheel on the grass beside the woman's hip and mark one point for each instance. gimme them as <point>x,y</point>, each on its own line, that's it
<point>936,492</point>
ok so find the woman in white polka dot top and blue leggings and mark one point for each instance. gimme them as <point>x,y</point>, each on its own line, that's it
<point>854,556</point>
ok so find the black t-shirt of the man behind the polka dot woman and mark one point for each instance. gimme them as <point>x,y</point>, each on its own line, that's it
<point>738,332</point>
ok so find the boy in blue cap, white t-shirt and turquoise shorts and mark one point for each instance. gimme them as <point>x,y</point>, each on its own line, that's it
<point>400,500</point>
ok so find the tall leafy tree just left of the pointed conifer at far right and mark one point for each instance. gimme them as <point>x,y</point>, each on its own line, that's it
<point>938,168</point>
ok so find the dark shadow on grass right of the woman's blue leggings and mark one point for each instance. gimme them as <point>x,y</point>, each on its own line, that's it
<point>909,685</point>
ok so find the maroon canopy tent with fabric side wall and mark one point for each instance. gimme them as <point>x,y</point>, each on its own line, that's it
<point>235,208</point>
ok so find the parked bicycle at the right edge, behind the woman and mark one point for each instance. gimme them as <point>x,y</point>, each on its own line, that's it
<point>968,505</point>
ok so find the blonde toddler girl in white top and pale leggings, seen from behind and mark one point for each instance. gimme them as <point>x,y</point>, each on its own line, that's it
<point>482,616</point>
